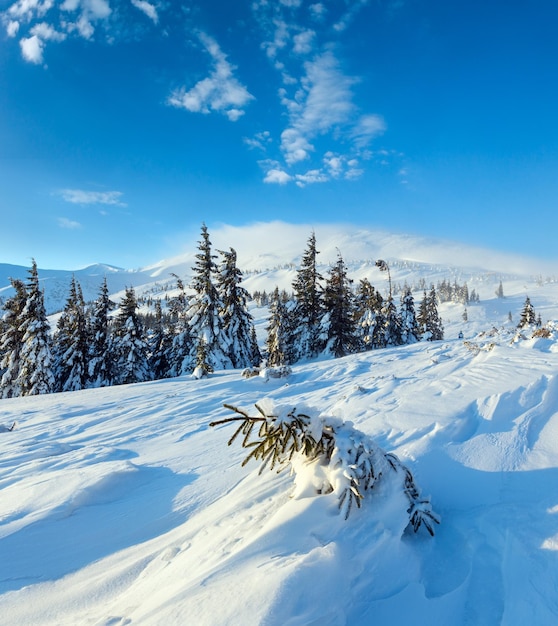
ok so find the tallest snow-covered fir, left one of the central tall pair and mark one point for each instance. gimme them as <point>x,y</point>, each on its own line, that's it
<point>204,319</point>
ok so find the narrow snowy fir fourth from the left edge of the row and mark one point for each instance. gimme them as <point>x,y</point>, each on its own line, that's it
<point>101,368</point>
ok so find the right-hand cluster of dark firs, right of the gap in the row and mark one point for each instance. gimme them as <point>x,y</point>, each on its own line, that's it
<point>333,317</point>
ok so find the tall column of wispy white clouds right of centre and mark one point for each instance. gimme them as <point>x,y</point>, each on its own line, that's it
<point>317,94</point>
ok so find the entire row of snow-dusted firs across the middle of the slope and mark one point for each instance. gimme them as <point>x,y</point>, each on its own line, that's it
<point>210,327</point>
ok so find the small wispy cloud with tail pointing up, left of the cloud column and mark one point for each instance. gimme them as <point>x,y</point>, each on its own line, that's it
<point>220,91</point>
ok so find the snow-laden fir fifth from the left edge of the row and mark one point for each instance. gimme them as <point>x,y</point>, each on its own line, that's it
<point>130,344</point>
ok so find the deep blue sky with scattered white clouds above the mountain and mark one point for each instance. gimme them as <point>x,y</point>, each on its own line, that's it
<point>124,125</point>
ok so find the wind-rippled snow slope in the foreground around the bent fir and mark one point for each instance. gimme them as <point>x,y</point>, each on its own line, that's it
<point>122,506</point>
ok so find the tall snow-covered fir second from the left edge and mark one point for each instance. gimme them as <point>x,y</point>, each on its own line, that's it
<point>35,376</point>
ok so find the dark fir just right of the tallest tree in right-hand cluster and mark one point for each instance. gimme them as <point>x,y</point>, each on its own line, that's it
<point>339,319</point>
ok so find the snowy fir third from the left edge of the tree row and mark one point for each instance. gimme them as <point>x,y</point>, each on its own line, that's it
<point>71,343</point>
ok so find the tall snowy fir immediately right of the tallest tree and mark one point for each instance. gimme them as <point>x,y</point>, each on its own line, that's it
<point>238,323</point>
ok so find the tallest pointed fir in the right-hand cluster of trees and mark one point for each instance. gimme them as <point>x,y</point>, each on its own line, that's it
<point>309,304</point>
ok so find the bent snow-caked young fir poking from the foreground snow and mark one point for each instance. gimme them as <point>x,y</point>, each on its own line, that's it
<point>339,458</point>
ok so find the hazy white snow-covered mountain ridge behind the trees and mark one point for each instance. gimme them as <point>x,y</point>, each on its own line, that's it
<point>269,253</point>
